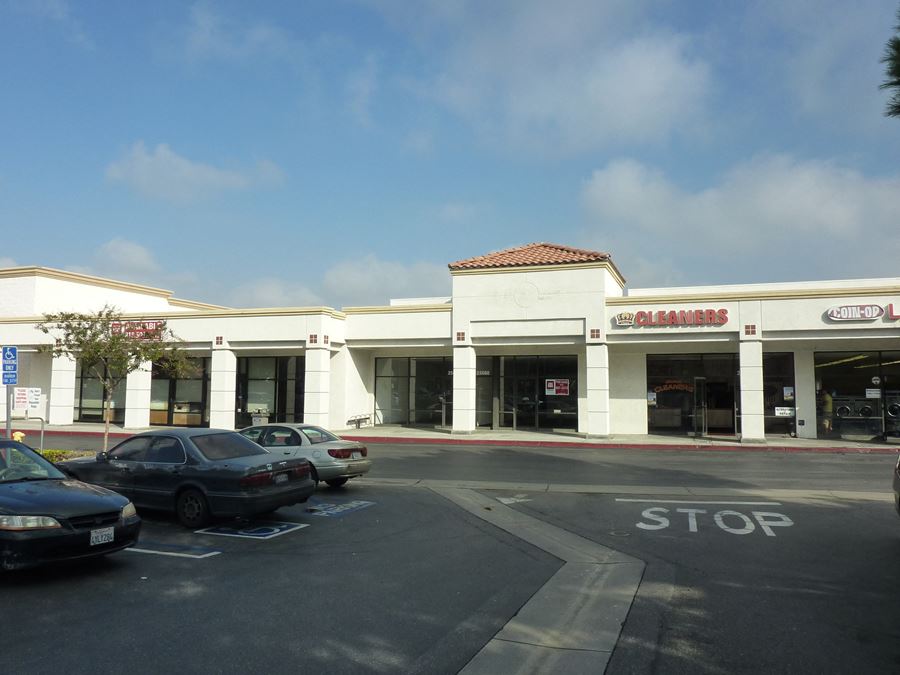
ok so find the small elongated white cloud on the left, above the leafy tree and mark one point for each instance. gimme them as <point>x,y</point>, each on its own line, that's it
<point>163,174</point>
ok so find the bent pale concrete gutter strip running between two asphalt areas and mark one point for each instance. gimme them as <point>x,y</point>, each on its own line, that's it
<point>572,624</point>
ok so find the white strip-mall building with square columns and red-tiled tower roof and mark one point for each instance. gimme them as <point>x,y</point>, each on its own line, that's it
<point>538,337</point>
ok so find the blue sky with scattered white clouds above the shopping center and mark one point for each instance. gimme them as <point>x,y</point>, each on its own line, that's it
<point>343,152</point>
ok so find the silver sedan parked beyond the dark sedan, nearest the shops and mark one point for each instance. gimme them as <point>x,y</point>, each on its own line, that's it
<point>332,459</point>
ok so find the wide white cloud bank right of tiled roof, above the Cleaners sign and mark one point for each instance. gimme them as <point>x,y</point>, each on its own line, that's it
<point>772,218</point>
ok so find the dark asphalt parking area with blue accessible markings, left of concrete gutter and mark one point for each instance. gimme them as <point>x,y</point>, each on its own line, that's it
<point>364,579</point>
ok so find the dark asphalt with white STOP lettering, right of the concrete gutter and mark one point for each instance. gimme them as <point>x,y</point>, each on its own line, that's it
<point>746,584</point>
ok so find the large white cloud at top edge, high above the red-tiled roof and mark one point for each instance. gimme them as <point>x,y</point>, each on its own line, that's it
<point>561,77</point>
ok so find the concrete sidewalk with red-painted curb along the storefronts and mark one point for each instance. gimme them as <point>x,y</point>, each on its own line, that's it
<point>503,437</point>
